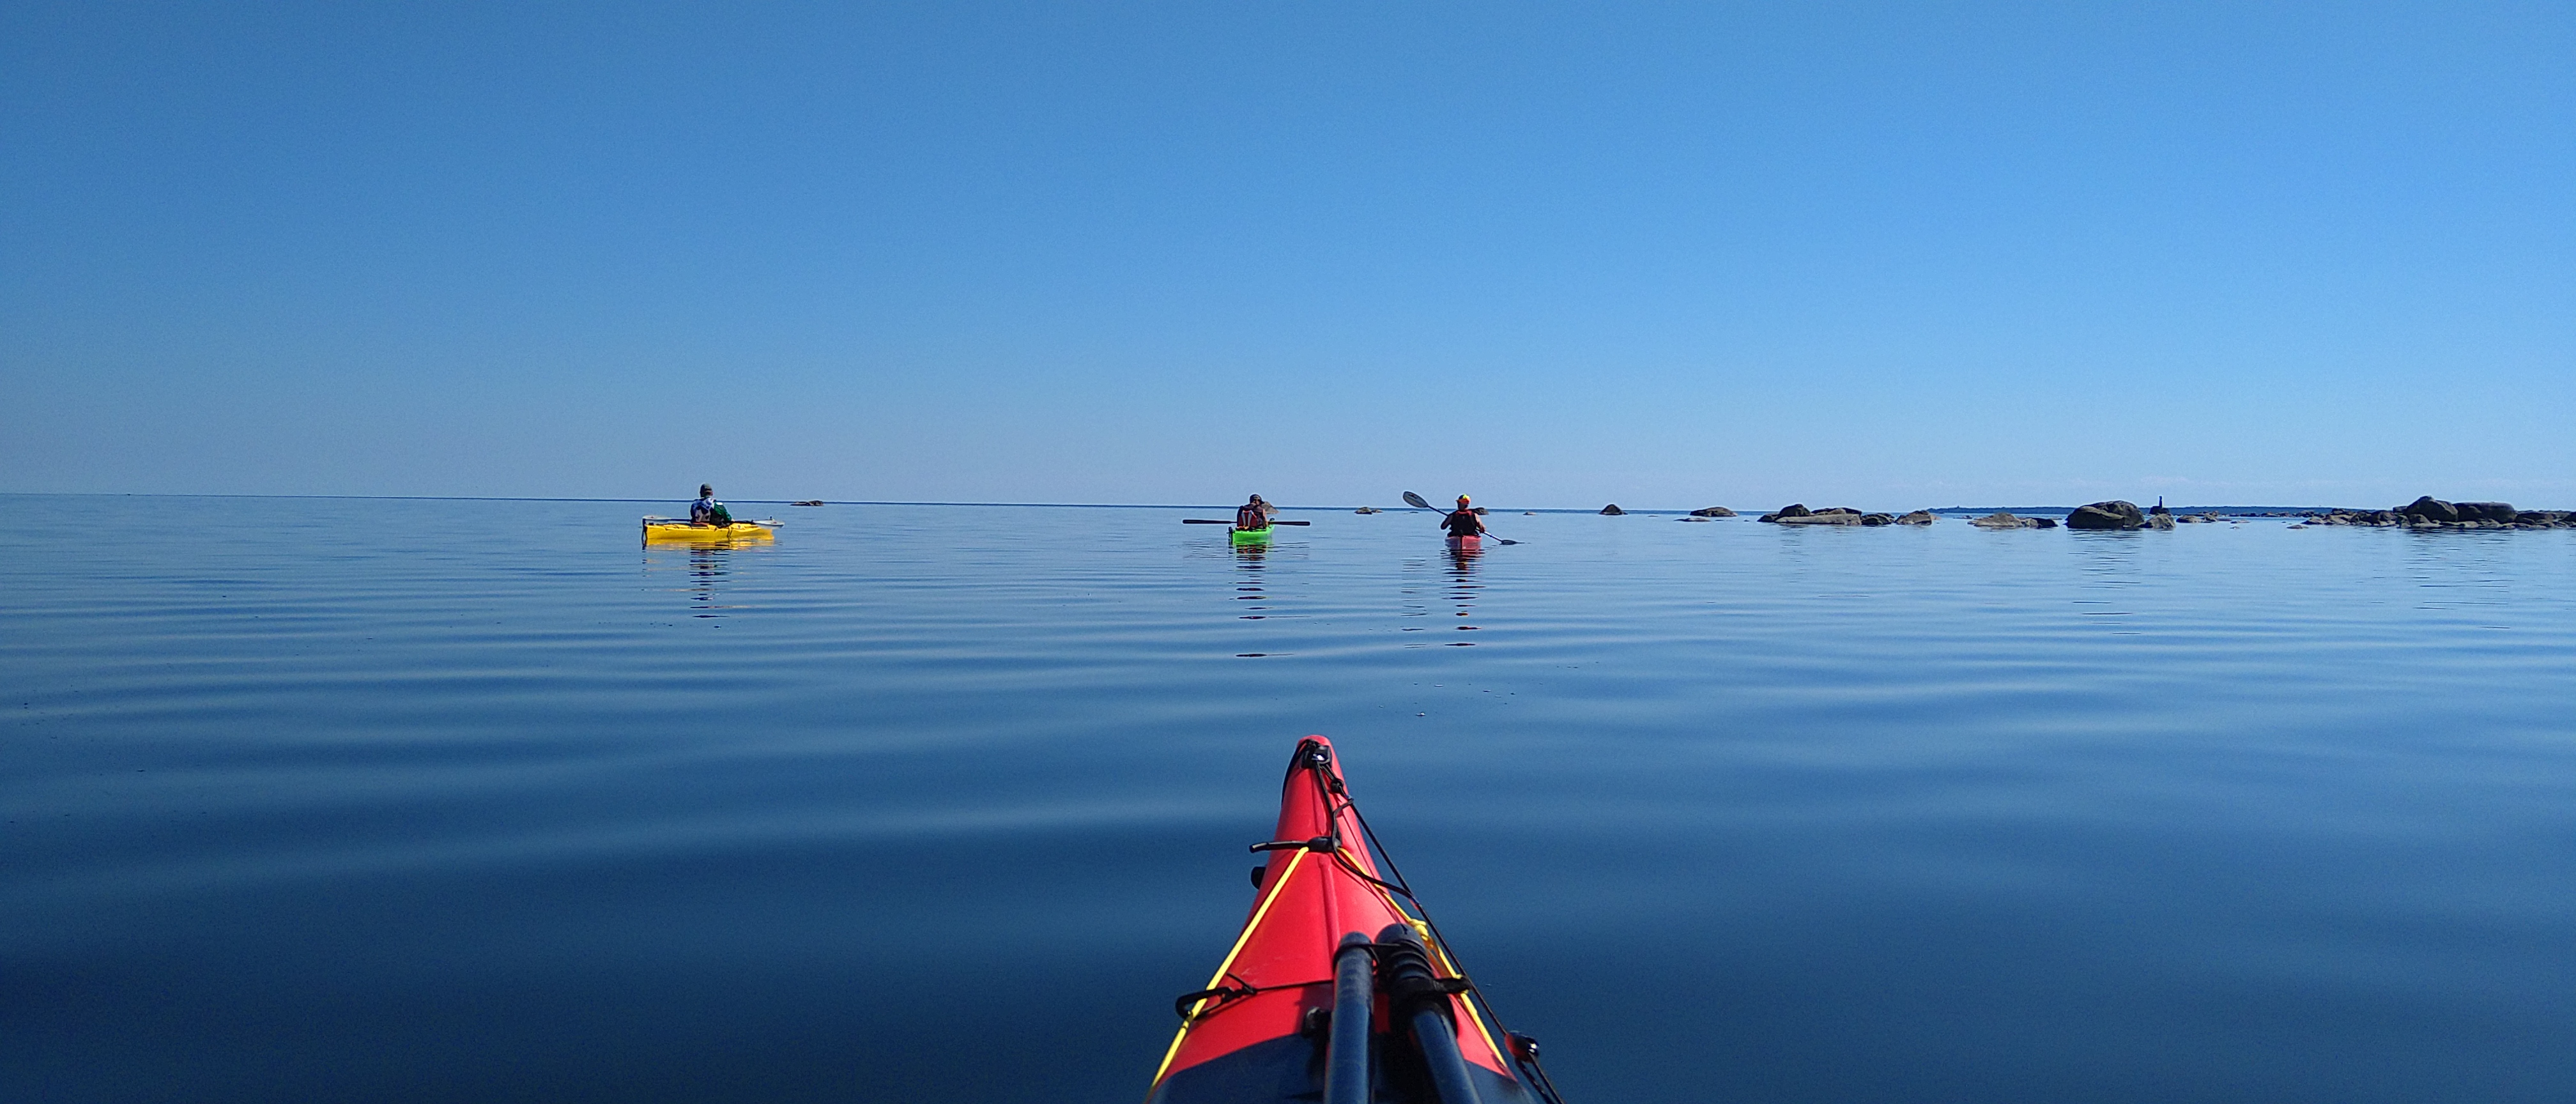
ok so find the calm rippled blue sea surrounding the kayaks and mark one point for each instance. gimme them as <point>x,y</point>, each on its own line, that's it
<point>480,802</point>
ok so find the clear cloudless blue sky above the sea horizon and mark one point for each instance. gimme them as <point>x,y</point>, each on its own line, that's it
<point>1552,256</point>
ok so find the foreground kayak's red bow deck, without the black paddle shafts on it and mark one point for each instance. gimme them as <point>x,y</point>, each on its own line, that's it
<point>1258,1033</point>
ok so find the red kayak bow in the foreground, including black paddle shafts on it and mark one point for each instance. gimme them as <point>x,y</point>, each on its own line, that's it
<point>1341,989</point>
